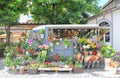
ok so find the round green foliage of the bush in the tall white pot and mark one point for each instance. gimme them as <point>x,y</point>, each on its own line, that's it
<point>107,51</point>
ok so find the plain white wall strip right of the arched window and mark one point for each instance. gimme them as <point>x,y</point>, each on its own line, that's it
<point>116,30</point>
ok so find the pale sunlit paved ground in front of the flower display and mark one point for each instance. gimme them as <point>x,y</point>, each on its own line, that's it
<point>86,74</point>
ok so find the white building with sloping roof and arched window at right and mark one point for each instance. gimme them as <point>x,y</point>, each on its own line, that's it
<point>109,19</point>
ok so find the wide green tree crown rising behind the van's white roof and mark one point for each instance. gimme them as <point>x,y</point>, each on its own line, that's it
<point>63,11</point>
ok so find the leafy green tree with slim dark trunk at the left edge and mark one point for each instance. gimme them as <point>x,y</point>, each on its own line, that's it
<point>9,13</point>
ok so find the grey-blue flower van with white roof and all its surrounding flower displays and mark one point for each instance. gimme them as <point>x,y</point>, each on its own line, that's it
<point>71,48</point>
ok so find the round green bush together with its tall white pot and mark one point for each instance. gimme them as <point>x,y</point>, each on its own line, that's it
<point>107,52</point>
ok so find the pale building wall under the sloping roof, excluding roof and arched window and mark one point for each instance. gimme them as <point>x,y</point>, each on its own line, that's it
<point>113,18</point>
